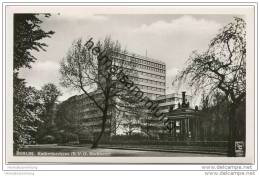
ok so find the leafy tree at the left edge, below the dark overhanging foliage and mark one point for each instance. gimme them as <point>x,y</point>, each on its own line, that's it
<point>26,109</point>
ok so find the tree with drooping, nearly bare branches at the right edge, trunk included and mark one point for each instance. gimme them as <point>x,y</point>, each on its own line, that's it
<point>222,68</point>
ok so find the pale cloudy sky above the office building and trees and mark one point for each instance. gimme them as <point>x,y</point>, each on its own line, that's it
<point>167,37</point>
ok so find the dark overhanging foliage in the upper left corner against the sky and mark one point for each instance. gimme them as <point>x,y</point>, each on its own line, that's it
<point>27,37</point>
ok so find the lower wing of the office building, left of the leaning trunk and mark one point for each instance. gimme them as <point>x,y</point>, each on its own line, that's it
<point>79,115</point>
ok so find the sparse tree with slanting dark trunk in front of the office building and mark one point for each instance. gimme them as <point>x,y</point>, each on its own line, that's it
<point>91,70</point>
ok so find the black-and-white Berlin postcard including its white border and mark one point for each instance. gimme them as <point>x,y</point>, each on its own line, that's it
<point>130,84</point>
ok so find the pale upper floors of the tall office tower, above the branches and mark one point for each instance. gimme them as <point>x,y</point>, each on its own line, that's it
<point>148,74</point>
